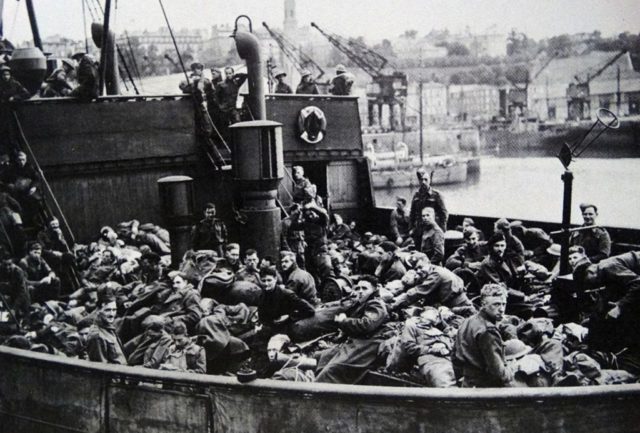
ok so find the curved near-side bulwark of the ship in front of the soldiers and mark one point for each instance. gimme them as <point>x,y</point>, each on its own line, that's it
<point>47,393</point>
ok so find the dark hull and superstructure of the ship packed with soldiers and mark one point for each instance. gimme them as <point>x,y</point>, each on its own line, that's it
<point>104,167</point>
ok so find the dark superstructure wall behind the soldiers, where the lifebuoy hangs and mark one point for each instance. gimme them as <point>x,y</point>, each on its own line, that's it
<point>102,159</point>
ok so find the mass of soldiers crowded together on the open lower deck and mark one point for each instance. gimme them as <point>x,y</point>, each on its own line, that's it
<point>337,305</point>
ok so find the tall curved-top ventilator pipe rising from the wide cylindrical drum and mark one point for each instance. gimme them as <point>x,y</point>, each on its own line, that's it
<point>248,47</point>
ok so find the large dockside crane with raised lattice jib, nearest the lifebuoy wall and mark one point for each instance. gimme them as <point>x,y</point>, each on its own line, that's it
<point>385,89</point>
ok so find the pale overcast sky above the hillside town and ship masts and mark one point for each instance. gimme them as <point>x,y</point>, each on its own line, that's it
<point>374,19</point>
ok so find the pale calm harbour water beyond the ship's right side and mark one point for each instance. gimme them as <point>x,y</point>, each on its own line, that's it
<point>531,188</point>
